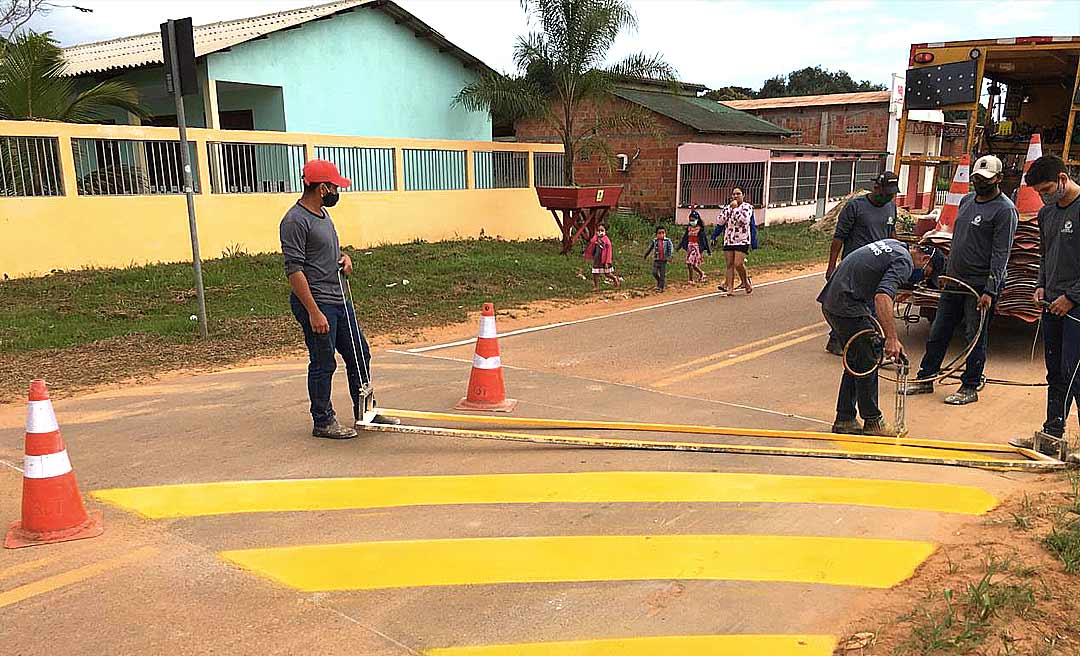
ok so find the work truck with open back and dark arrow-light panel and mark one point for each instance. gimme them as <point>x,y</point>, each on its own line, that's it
<point>1005,91</point>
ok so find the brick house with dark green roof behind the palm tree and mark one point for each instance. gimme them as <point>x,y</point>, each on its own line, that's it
<point>651,170</point>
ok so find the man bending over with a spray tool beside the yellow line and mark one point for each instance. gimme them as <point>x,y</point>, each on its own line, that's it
<point>869,275</point>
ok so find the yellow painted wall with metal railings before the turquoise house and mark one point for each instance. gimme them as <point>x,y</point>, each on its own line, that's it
<point>38,235</point>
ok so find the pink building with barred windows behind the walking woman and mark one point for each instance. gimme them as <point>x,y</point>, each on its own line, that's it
<point>785,183</point>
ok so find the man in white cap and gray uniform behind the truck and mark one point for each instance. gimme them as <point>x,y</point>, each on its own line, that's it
<point>982,239</point>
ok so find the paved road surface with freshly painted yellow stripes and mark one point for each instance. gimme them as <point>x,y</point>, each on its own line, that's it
<point>411,545</point>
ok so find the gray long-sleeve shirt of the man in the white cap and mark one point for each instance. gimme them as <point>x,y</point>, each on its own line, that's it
<point>982,239</point>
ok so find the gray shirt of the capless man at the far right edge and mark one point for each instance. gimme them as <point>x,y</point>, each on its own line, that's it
<point>1060,250</point>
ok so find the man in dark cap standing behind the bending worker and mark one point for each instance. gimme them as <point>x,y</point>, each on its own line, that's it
<point>865,220</point>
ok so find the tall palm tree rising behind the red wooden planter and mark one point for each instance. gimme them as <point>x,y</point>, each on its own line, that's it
<point>563,66</point>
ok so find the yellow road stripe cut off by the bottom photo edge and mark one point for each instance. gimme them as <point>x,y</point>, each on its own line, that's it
<point>670,646</point>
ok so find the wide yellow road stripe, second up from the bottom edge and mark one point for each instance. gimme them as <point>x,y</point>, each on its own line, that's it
<point>871,564</point>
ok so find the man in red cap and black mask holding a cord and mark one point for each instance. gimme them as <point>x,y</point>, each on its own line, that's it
<point>314,264</point>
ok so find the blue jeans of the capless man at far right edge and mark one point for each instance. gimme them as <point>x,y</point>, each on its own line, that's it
<point>1061,339</point>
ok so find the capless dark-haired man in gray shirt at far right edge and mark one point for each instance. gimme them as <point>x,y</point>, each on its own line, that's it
<point>1059,290</point>
